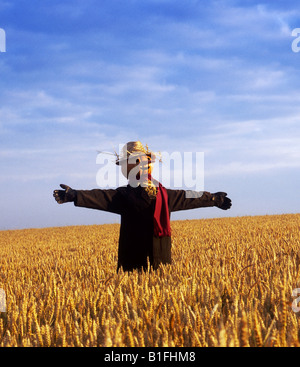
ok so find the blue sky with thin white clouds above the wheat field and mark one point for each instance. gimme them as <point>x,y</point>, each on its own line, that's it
<point>218,77</point>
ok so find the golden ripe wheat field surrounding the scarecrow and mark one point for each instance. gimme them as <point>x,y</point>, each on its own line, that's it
<point>230,285</point>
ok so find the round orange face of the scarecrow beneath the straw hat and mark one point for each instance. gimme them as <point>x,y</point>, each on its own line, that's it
<point>142,166</point>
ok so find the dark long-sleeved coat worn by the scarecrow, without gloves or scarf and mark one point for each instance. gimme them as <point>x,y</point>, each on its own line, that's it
<point>136,241</point>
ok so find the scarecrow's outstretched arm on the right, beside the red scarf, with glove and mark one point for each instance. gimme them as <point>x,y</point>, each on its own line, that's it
<point>187,199</point>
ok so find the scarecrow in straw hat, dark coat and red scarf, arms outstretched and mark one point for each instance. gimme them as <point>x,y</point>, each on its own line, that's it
<point>145,206</point>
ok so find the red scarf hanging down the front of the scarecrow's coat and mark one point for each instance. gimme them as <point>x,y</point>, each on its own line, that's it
<point>161,218</point>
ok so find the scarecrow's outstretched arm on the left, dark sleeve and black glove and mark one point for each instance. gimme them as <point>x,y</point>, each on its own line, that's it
<point>107,200</point>
